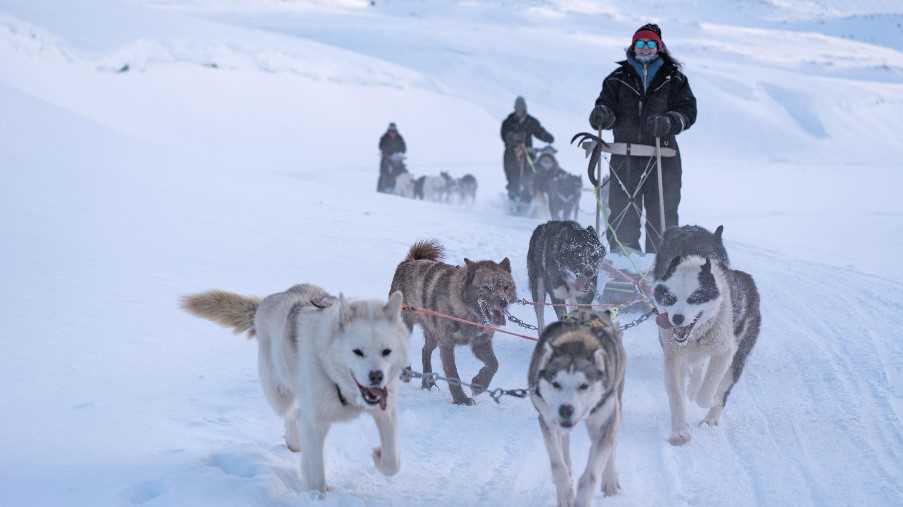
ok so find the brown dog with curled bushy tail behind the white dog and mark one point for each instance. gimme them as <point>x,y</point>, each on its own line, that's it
<point>478,291</point>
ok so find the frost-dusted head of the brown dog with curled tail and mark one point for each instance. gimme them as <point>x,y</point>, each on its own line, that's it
<point>489,289</point>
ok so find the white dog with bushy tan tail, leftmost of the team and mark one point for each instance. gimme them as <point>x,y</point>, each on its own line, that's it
<point>321,360</point>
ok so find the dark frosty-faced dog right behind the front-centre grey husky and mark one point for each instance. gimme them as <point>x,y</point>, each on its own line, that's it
<point>563,262</point>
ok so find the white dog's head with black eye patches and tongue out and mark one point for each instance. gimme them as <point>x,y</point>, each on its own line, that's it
<point>689,295</point>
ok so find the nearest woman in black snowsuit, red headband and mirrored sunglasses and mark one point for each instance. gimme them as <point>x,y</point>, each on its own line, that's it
<point>646,97</point>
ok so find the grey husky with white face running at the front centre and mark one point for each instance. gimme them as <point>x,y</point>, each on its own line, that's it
<point>577,374</point>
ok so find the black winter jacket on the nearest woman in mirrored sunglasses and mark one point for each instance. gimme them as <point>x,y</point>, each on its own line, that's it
<point>623,95</point>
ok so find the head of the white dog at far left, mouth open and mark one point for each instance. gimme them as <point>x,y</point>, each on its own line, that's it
<point>368,350</point>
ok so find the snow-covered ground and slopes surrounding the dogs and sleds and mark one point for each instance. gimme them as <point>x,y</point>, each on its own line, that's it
<point>151,149</point>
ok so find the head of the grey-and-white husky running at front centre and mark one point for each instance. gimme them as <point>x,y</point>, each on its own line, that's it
<point>575,370</point>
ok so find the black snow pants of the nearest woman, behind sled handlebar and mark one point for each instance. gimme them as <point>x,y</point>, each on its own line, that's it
<point>629,195</point>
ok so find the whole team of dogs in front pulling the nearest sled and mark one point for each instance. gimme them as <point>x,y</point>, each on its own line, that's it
<point>324,358</point>
